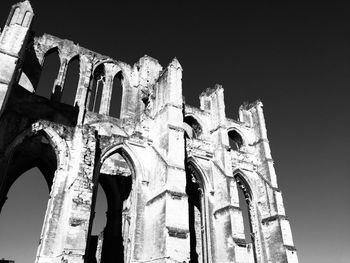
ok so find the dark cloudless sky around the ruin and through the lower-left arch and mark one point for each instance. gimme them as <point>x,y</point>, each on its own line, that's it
<point>294,56</point>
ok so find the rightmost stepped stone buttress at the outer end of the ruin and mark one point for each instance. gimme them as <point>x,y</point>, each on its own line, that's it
<point>275,227</point>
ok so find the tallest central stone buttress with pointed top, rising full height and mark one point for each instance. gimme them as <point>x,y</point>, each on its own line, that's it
<point>172,232</point>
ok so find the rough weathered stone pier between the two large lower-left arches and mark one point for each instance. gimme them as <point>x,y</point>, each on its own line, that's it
<point>79,194</point>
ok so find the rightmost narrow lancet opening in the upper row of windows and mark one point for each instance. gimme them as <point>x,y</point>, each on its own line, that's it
<point>116,98</point>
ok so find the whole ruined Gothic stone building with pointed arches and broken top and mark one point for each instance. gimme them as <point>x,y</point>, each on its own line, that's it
<point>176,177</point>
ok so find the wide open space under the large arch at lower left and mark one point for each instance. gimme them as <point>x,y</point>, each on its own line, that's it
<point>24,196</point>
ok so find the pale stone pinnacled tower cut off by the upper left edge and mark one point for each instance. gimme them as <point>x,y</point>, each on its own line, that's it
<point>13,41</point>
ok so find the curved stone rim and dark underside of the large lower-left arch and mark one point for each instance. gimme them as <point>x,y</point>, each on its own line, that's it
<point>47,137</point>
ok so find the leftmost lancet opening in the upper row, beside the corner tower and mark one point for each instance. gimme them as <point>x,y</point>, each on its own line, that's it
<point>48,74</point>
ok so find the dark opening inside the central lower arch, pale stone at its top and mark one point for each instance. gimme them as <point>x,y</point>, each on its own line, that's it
<point>113,243</point>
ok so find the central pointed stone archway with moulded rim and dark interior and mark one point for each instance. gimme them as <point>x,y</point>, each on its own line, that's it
<point>116,176</point>
